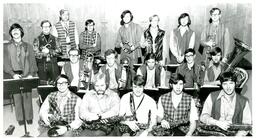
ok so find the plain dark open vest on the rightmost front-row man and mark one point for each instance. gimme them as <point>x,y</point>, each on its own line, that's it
<point>238,114</point>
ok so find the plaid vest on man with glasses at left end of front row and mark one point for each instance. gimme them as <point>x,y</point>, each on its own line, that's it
<point>68,114</point>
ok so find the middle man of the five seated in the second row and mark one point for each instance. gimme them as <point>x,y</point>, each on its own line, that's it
<point>150,71</point>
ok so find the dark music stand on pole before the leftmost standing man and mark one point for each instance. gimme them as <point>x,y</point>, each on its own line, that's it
<point>19,86</point>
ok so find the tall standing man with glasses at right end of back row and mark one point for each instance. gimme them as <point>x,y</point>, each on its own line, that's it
<point>216,34</point>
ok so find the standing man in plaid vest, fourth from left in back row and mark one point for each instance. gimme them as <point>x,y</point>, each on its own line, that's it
<point>89,39</point>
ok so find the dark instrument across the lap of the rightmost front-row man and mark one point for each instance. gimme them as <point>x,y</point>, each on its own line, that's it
<point>213,130</point>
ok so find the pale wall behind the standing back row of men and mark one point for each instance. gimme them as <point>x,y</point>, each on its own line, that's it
<point>106,14</point>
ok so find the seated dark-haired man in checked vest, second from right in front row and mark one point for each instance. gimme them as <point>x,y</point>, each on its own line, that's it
<point>177,106</point>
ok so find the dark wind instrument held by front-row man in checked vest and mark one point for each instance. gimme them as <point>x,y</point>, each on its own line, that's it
<point>158,130</point>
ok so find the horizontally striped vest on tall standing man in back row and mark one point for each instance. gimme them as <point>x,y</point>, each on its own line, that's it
<point>62,35</point>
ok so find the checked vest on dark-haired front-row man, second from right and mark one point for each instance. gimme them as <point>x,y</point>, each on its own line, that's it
<point>183,109</point>
